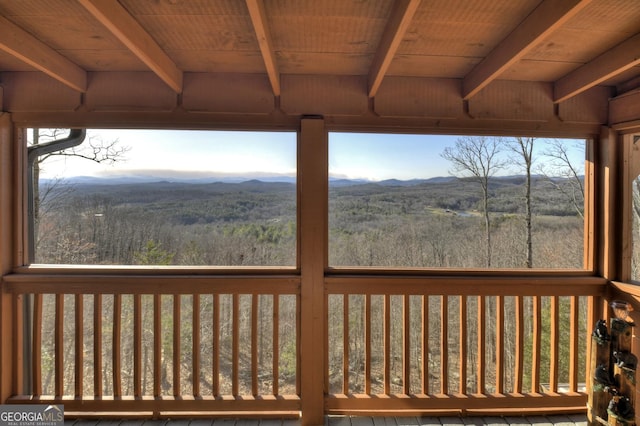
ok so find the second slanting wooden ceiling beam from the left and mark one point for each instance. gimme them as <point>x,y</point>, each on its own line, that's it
<point>124,26</point>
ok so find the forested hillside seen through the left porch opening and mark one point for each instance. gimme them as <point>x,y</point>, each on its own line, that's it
<point>248,223</point>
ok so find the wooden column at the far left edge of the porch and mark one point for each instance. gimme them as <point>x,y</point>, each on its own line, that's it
<point>6,254</point>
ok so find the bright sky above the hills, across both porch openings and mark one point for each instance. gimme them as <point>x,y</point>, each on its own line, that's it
<point>193,153</point>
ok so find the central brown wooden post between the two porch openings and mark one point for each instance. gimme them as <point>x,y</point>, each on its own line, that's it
<point>313,184</point>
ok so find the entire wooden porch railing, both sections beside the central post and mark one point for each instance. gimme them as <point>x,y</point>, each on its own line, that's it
<point>169,346</point>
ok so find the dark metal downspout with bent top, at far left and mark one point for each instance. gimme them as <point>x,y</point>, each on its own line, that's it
<point>75,138</point>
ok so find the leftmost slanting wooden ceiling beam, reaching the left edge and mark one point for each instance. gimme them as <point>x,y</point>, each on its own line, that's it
<point>25,47</point>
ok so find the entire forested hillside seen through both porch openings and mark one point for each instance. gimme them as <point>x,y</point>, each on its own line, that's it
<point>423,223</point>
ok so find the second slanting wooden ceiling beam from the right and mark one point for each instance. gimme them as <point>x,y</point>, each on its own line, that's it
<point>546,18</point>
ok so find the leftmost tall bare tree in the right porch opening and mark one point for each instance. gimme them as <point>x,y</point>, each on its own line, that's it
<point>477,157</point>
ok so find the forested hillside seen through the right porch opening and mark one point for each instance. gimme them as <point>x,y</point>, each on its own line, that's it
<point>438,223</point>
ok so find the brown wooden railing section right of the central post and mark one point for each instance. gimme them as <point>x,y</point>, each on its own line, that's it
<point>458,346</point>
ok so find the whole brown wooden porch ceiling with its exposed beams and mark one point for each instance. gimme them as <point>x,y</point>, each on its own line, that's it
<point>568,46</point>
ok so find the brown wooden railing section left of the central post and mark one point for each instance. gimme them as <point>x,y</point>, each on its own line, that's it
<point>158,346</point>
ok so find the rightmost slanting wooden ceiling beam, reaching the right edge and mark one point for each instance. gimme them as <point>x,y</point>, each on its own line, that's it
<point>611,63</point>
